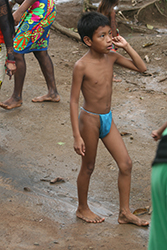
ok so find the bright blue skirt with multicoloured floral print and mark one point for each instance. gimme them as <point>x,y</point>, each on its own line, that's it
<point>32,33</point>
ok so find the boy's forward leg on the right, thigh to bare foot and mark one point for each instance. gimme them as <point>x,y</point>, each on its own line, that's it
<point>115,145</point>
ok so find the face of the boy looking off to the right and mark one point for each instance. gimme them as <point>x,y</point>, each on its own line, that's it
<point>102,40</point>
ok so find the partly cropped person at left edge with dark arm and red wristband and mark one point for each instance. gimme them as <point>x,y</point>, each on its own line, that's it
<point>6,41</point>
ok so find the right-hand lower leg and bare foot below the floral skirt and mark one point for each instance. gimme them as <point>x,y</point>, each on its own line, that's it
<point>48,72</point>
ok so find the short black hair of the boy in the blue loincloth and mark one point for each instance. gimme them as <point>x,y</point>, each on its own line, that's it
<point>90,22</point>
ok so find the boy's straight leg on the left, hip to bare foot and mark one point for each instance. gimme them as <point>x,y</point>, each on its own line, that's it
<point>89,129</point>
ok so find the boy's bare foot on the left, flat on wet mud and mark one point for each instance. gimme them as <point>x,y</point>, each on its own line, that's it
<point>88,216</point>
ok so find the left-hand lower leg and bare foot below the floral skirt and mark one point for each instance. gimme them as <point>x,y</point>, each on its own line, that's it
<point>16,99</point>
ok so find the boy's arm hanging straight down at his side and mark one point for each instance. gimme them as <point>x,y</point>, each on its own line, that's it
<point>79,145</point>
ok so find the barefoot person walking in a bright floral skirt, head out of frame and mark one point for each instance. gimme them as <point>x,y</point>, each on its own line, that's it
<point>34,19</point>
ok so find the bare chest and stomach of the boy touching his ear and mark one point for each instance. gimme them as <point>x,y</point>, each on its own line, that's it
<point>97,82</point>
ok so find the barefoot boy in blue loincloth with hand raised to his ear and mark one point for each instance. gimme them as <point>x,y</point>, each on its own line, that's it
<point>93,75</point>
